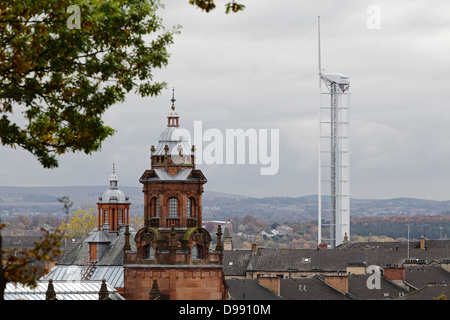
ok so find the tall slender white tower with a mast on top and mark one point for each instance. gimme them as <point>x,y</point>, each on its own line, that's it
<point>334,161</point>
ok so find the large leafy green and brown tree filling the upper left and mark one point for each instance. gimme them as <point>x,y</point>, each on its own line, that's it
<point>65,68</point>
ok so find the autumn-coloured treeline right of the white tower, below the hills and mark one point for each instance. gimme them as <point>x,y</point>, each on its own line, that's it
<point>432,227</point>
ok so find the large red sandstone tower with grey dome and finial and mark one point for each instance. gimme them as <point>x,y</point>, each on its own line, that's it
<point>173,259</point>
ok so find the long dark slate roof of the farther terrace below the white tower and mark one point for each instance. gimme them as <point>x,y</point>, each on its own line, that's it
<point>370,253</point>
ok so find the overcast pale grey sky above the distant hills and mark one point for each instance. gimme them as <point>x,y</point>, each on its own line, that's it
<point>258,69</point>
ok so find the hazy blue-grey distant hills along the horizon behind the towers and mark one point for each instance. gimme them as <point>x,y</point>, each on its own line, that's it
<point>216,205</point>
